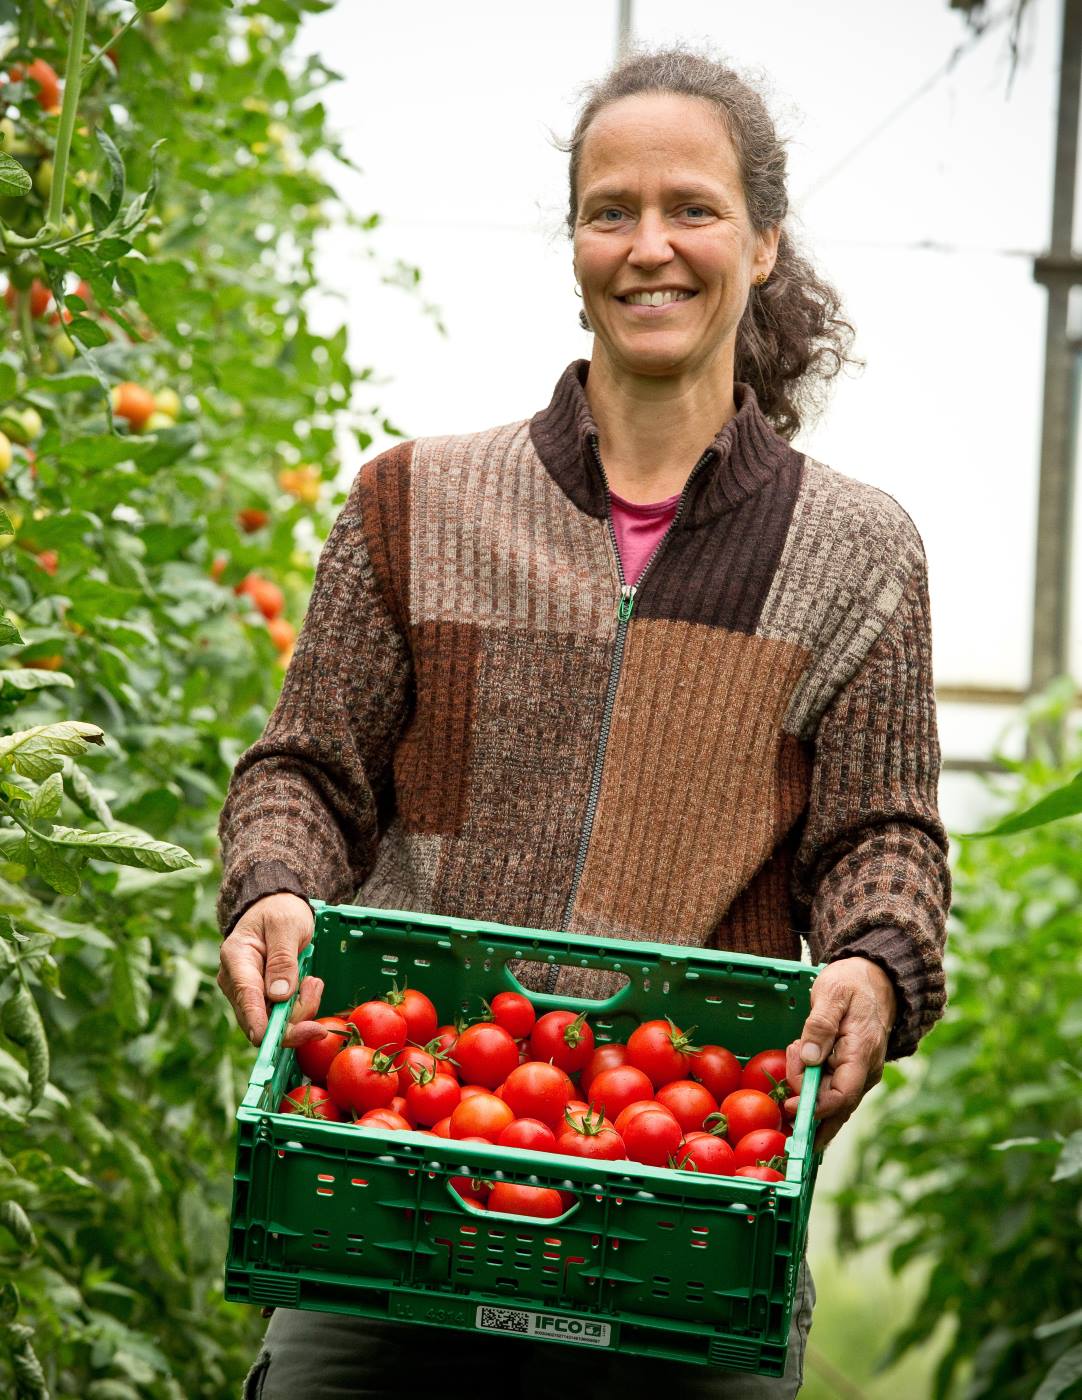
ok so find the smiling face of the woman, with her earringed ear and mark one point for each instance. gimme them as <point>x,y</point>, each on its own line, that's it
<point>661,209</point>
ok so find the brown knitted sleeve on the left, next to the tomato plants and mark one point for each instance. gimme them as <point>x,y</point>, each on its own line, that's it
<point>303,808</point>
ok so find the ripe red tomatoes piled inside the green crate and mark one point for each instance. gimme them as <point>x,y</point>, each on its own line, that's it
<point>541,1083</point>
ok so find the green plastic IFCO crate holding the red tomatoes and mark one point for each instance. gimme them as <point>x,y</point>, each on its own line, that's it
<point>337,1219</point>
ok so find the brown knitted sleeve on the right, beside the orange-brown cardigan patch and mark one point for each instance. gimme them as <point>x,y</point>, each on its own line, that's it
<point>871,874</point>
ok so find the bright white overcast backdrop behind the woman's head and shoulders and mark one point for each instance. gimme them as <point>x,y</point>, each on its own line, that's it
<point>927,226</point>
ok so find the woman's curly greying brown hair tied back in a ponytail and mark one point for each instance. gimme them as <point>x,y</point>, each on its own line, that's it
<point>793,337</point>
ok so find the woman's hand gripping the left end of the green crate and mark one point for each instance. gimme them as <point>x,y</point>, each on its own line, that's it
<point>260,968</point>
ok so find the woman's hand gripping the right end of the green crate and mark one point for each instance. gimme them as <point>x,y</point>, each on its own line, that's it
<point>853,1011</point>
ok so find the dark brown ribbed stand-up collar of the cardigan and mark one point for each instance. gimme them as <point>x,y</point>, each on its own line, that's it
<point>743,458</point>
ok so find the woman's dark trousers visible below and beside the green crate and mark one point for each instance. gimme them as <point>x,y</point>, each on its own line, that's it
<point>313,1356</point>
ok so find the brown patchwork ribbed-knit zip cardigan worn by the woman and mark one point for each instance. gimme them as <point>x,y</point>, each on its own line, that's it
<point>482,720</point>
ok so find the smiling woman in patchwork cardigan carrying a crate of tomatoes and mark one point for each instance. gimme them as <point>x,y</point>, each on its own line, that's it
<point>635,668</point>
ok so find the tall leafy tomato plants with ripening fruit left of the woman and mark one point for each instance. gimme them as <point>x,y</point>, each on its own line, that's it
<point>163,264</point>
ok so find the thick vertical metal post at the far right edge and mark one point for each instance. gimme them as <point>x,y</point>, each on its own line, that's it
<point>1059,271</point>
